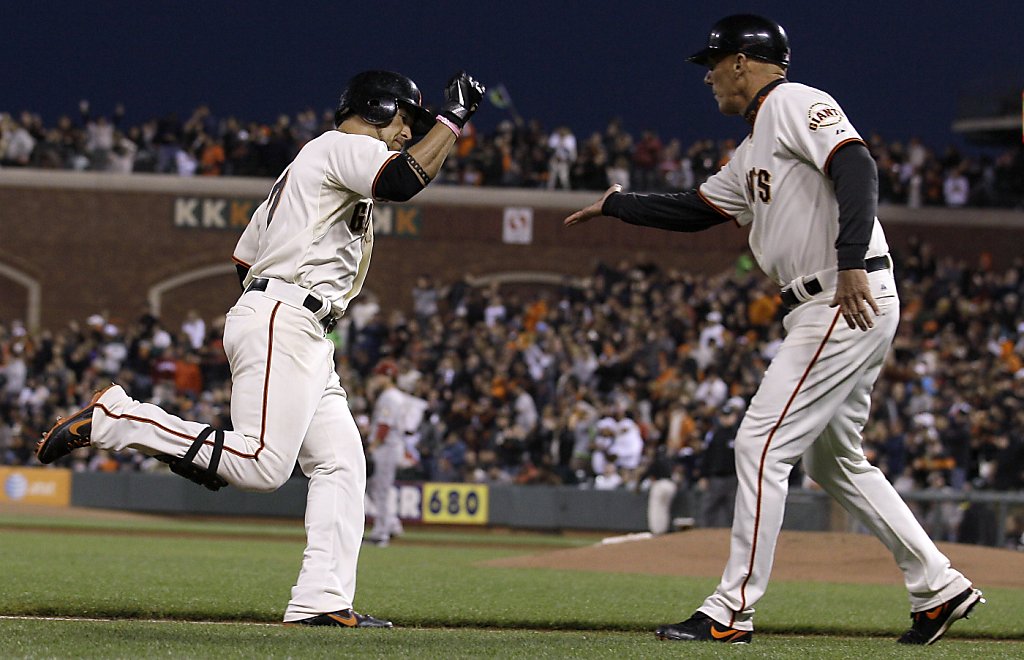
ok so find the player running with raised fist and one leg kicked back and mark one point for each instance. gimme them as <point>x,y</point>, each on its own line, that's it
<point>302,260</point>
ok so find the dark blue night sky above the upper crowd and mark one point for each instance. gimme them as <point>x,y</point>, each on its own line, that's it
<point>897,68</point>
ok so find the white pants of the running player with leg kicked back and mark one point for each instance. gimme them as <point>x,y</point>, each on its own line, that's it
<point>287,405</point>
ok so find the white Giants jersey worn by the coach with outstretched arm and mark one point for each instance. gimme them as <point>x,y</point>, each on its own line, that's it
<point>777,183</point>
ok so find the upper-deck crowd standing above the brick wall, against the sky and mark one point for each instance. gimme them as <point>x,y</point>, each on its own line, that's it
<point>518,153</point>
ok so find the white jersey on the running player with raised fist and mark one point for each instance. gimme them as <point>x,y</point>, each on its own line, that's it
<point>316,229</point>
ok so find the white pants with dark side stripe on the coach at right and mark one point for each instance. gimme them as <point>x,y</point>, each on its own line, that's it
<point>814,404</point>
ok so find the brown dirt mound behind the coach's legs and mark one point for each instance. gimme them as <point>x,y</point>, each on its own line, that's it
<point>820,557</point>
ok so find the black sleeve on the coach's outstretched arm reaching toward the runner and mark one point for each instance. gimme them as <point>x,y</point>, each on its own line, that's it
<point>674,212</point>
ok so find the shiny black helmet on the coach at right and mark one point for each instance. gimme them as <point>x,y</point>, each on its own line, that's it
<point>754,36</point>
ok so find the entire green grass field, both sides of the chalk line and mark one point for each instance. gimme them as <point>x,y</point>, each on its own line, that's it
<point>183,573</point>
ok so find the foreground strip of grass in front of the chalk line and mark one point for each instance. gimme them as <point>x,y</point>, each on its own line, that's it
<point>180,640</point>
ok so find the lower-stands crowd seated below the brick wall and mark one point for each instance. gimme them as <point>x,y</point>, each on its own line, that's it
<point>587,385</point>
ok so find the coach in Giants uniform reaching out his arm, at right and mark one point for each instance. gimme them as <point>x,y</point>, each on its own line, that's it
<point>805,184</point>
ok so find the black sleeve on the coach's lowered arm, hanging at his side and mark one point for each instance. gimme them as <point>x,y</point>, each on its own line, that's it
<point>856,178</point>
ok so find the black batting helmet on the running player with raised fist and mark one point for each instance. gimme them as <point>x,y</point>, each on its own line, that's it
<point>376,96</point>
